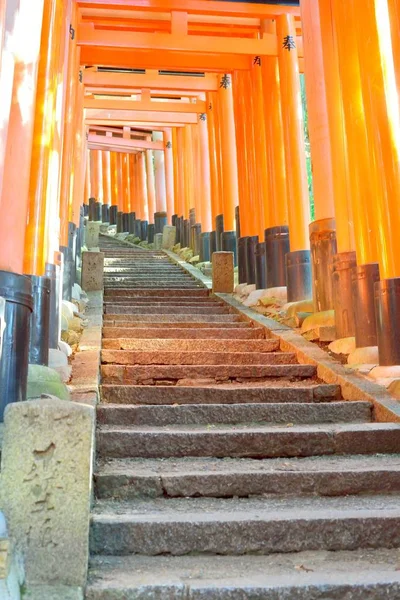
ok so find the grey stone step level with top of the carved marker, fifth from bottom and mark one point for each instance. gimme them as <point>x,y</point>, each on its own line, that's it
<point>207,414</point>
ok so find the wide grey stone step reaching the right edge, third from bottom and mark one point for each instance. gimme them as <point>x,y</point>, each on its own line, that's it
<point>128,479</point>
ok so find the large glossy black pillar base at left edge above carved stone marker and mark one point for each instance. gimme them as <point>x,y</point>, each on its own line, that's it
<point>15,310</point>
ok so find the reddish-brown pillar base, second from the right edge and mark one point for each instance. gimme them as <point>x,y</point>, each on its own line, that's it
<point>363,280</point>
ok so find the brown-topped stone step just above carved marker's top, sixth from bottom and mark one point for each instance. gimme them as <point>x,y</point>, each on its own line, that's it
<point>273,392</point>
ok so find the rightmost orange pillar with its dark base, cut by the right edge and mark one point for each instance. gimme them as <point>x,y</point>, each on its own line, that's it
<point>371,26</point>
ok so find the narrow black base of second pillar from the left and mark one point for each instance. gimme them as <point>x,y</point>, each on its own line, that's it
<point>40,321</point>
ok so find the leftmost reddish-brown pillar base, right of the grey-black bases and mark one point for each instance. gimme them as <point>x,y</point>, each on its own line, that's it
<point>323,249</point>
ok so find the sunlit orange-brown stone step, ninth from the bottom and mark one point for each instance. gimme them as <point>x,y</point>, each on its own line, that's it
<point>191,345</point>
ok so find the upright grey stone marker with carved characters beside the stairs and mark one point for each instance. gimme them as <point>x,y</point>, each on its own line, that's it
<point>46,479</point>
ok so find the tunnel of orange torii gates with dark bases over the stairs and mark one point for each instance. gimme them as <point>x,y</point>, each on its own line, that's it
<point>146,112</point>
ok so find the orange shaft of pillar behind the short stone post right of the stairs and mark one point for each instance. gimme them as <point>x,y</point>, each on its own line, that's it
<point>228,147</point>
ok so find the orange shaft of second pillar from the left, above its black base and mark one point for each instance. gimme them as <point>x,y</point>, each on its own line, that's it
<point>36,239</point>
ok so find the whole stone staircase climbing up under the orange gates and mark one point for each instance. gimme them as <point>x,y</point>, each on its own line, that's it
<point>225,469</point>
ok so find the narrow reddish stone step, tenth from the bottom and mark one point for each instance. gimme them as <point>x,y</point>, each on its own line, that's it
<point>177,330</point>
